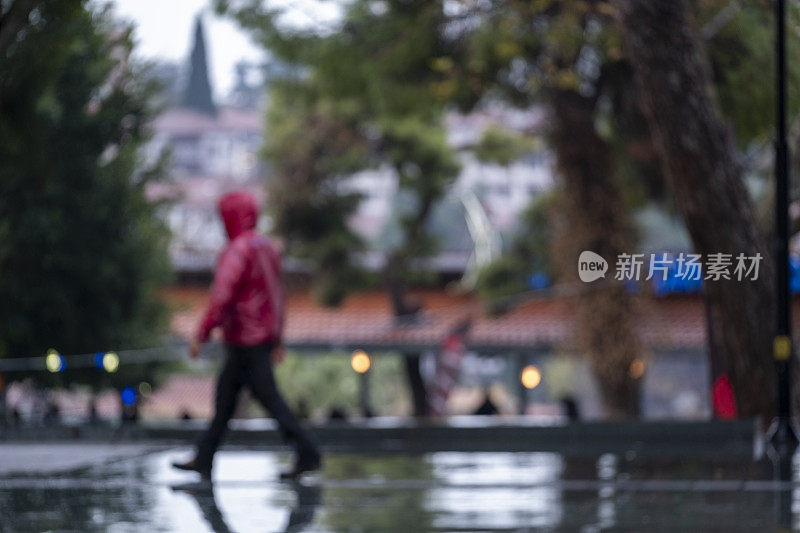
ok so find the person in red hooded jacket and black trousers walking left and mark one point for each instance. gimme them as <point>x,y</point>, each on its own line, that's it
<point>247,301</point>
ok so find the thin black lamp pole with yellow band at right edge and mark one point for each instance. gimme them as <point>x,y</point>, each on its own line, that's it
<point>782,432</point>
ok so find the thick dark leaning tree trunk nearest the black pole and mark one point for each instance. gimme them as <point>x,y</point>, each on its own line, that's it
<point>699,159</point>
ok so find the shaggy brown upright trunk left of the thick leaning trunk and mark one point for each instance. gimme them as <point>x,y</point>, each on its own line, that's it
<point>596,221</point>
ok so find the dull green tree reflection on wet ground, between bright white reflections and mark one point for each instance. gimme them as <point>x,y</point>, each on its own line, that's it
<point>386,507</point>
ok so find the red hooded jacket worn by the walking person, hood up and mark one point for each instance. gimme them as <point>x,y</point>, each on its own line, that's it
<point>247,298</point>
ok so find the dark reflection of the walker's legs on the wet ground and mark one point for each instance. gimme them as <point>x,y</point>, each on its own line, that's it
<point>308,499</point>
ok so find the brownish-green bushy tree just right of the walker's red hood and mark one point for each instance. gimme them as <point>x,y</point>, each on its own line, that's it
<point>310,147</point>
